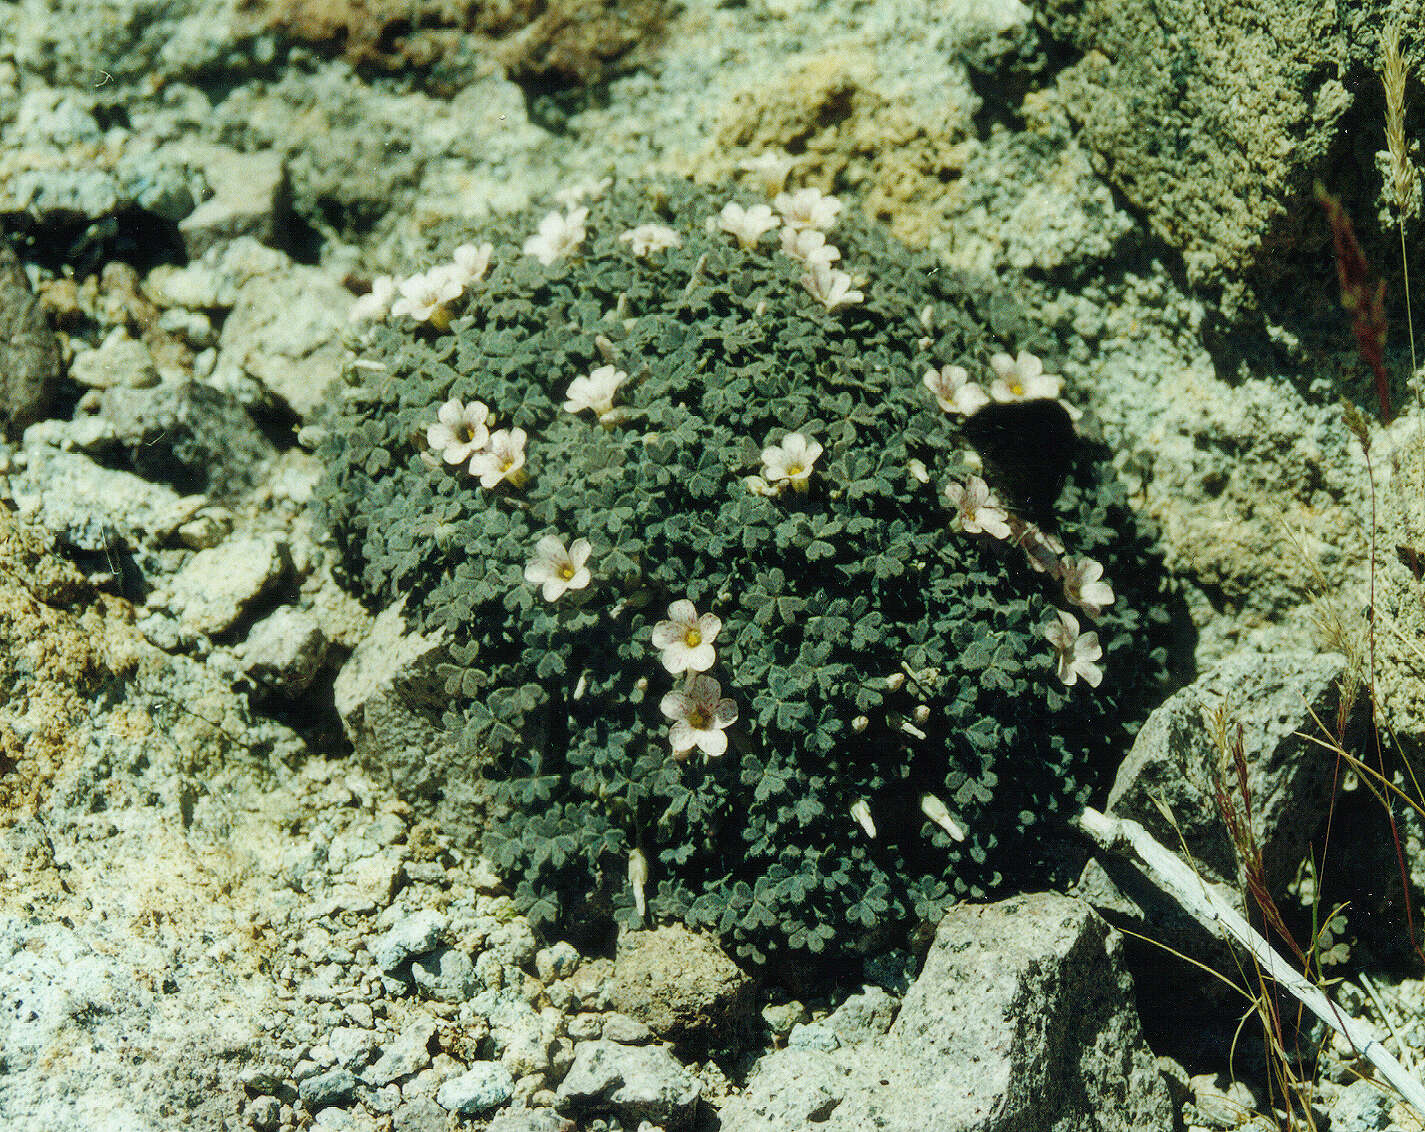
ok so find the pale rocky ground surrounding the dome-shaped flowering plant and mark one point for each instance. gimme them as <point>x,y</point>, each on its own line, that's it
<point>213,916</point>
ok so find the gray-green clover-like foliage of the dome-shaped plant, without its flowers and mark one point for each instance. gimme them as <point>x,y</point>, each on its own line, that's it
<point>822,595</point>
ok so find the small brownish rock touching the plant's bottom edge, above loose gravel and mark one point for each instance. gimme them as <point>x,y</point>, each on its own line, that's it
<point>682,986</point>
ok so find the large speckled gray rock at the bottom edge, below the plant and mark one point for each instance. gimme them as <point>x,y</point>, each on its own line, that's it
<point>1021,1019</point>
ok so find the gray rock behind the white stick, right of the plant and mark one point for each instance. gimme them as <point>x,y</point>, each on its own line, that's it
<point>1273,699</point>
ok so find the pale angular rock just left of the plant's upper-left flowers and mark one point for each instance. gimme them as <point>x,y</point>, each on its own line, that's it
<point>286,333</point>
